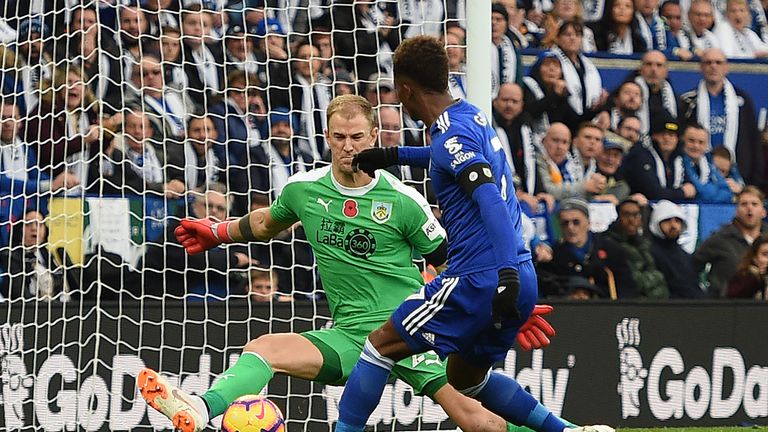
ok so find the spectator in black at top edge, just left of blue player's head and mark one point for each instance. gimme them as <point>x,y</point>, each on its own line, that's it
<point>362,34</point>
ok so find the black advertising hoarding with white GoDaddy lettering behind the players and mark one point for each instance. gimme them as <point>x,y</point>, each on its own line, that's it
<point>626,364</point>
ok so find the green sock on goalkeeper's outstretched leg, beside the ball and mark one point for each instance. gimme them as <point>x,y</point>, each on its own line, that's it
<point>248,375</point>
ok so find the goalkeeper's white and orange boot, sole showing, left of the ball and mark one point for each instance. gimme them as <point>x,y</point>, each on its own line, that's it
<point>170,401</point>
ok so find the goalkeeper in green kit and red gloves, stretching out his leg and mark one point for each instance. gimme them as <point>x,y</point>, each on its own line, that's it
<point>363,231</point>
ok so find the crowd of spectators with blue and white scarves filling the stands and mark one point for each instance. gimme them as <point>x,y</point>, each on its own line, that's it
<point>215,103</point>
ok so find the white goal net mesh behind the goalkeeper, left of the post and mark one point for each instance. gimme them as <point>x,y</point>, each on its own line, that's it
<point>119,118</point>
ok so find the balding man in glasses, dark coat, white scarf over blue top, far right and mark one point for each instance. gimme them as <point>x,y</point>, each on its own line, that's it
<point>728,113</point>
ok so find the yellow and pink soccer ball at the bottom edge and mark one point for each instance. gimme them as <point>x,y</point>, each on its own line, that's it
<point>253,413</point>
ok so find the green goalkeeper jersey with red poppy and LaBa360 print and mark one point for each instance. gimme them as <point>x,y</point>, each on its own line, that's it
<point>363,239</point>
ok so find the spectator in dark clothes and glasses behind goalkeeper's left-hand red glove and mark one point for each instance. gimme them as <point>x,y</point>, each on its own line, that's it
<point>205,274</point>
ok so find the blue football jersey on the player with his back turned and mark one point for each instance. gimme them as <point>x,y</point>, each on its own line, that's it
<point>462,137</point>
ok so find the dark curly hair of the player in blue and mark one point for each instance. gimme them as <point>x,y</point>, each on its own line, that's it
<point>423,59</point>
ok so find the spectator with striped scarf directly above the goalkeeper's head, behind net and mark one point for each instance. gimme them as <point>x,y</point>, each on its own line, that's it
<point>311,92</point>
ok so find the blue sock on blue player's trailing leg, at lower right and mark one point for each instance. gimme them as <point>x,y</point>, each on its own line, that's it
<point>504,396</point>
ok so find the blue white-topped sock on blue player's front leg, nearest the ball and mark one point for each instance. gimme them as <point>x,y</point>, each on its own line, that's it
<point>363,389</point>
